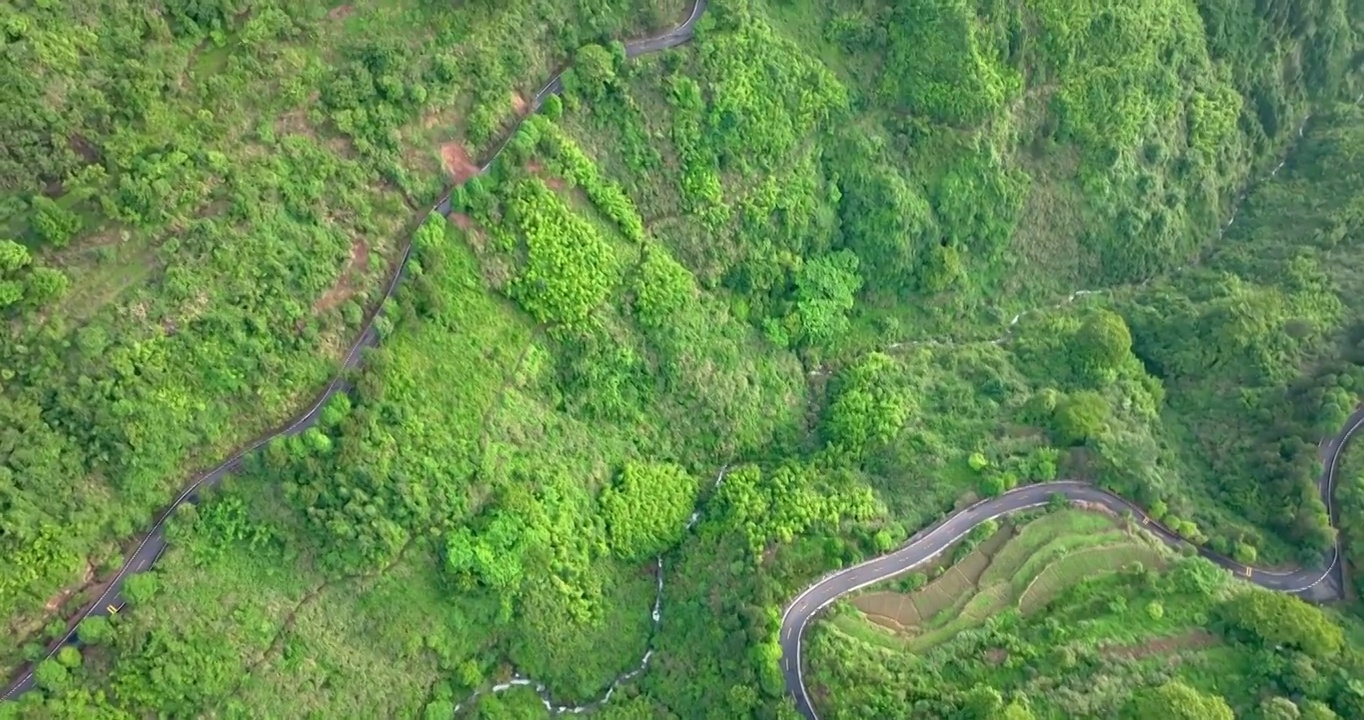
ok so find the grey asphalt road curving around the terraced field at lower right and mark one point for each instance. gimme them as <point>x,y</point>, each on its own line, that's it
<point>1316,586</point>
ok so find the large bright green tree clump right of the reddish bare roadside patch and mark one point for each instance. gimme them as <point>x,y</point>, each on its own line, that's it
<point>569,267</point>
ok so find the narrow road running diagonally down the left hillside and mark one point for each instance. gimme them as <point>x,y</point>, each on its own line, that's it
<point>155,543</point>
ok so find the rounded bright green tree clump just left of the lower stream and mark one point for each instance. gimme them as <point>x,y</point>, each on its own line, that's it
<point>646,509</point>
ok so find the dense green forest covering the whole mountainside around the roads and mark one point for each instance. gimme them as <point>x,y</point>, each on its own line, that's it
<point>789,252</point>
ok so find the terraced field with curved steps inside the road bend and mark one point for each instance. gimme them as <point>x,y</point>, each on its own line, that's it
<point>1020,569</point>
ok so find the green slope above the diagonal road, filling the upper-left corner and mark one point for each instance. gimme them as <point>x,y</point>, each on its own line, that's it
<point>233,227</point>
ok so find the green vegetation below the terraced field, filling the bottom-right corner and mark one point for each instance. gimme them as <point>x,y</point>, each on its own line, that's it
<point>1122,640</point>
